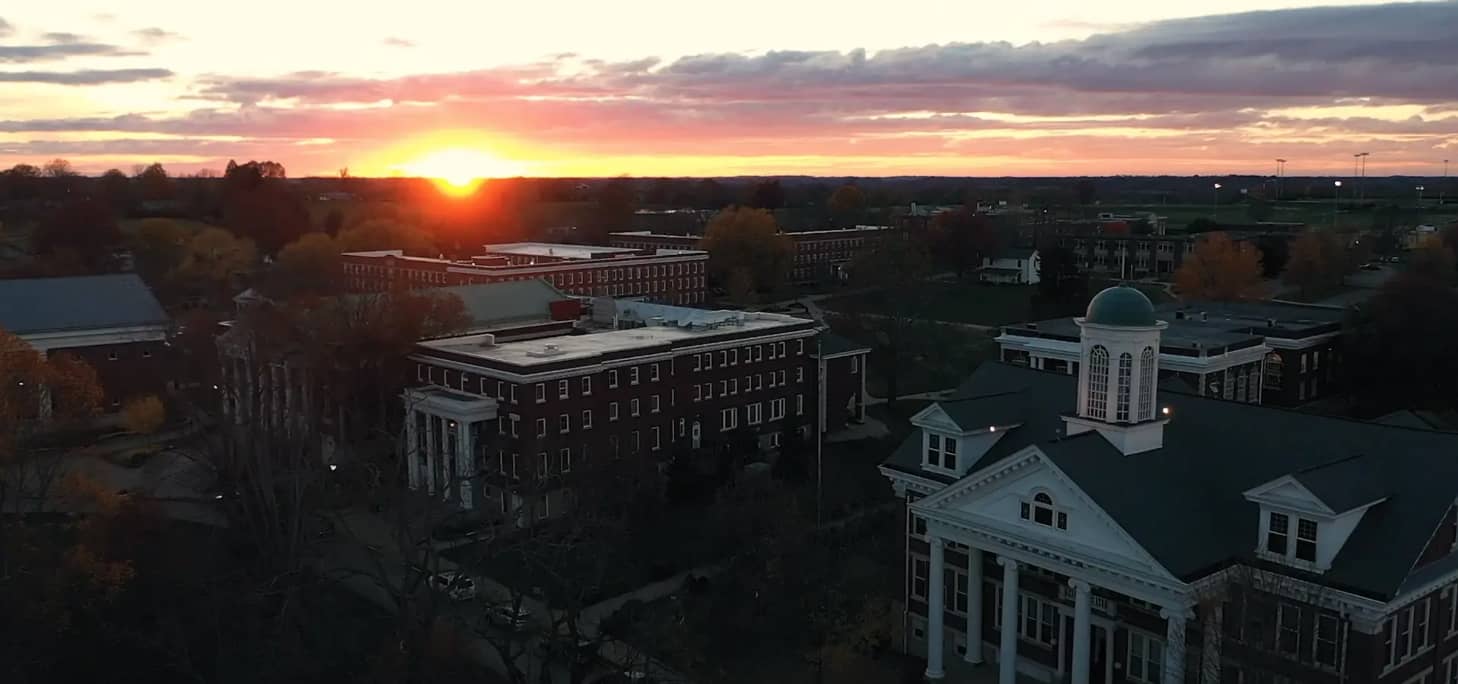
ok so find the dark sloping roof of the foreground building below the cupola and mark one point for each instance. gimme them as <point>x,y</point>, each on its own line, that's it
<point>1185,502</point>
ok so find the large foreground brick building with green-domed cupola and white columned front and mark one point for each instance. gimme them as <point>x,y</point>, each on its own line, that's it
<point>1087,529</point>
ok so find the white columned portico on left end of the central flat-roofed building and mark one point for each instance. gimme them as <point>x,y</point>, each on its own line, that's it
<point>444,432</point>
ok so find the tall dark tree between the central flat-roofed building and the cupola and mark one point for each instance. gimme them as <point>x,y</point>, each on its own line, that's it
<point>894,271</point>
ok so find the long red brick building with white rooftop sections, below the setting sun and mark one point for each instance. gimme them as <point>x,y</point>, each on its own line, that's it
<point>663,275</point>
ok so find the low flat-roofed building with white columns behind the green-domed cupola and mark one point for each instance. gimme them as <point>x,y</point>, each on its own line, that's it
<point>1278,354</point>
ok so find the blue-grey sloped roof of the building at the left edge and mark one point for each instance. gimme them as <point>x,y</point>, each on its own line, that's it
<point>74,304</point>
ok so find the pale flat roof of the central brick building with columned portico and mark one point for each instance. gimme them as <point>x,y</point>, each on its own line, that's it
<point>594,345</point>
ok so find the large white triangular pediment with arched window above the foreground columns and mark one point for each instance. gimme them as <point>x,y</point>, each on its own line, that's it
<point>992,501</point>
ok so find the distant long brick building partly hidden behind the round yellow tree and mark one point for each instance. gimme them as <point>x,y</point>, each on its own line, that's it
<point>820,256</point>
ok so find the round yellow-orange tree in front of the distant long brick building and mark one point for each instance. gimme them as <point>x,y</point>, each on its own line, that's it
<point>749,240</point>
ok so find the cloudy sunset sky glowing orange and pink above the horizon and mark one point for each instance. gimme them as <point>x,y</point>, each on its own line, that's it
<point>645,88</point>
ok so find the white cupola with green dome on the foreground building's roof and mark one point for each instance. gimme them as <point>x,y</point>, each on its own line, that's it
<point>1119,371</point>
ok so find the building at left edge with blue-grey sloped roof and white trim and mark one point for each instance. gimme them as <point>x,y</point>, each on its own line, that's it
<point>114,323</point>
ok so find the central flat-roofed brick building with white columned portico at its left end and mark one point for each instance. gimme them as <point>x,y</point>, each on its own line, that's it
<point>638,380</point>
